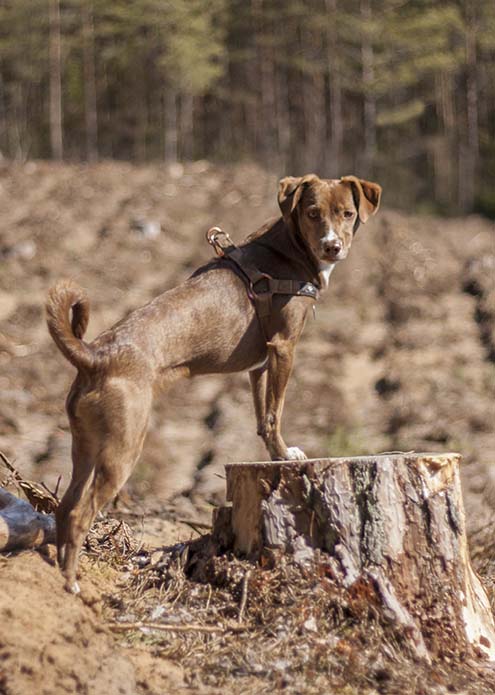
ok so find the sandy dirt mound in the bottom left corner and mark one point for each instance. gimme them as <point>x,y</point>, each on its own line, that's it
<point>52,643</point>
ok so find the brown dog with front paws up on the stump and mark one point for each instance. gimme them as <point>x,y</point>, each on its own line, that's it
<point>209,324</point>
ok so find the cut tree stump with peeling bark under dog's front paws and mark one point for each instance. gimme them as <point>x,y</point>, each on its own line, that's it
<point>394,521</point>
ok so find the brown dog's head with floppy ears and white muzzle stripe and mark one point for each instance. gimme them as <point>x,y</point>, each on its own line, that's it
<point>328,211</point>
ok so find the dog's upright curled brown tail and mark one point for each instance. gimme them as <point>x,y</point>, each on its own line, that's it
<point>67,331</point>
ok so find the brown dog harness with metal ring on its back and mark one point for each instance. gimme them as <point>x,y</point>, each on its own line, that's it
<point>260,286</point>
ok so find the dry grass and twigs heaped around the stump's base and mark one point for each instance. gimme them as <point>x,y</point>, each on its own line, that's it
<point>232,624</point>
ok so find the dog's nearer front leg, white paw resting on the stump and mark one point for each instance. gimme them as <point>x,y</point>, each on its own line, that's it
<point>280,361</point>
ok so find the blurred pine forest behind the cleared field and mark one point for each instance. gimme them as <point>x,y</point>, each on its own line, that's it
<point>397,90</point>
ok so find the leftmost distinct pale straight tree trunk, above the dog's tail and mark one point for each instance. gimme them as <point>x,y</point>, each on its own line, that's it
<point>56,139</point>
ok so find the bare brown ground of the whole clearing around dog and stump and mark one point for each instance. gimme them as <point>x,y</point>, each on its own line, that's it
<point>401,356</point>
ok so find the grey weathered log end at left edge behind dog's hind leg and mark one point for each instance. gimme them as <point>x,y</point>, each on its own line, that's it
<point>21,526</point>
